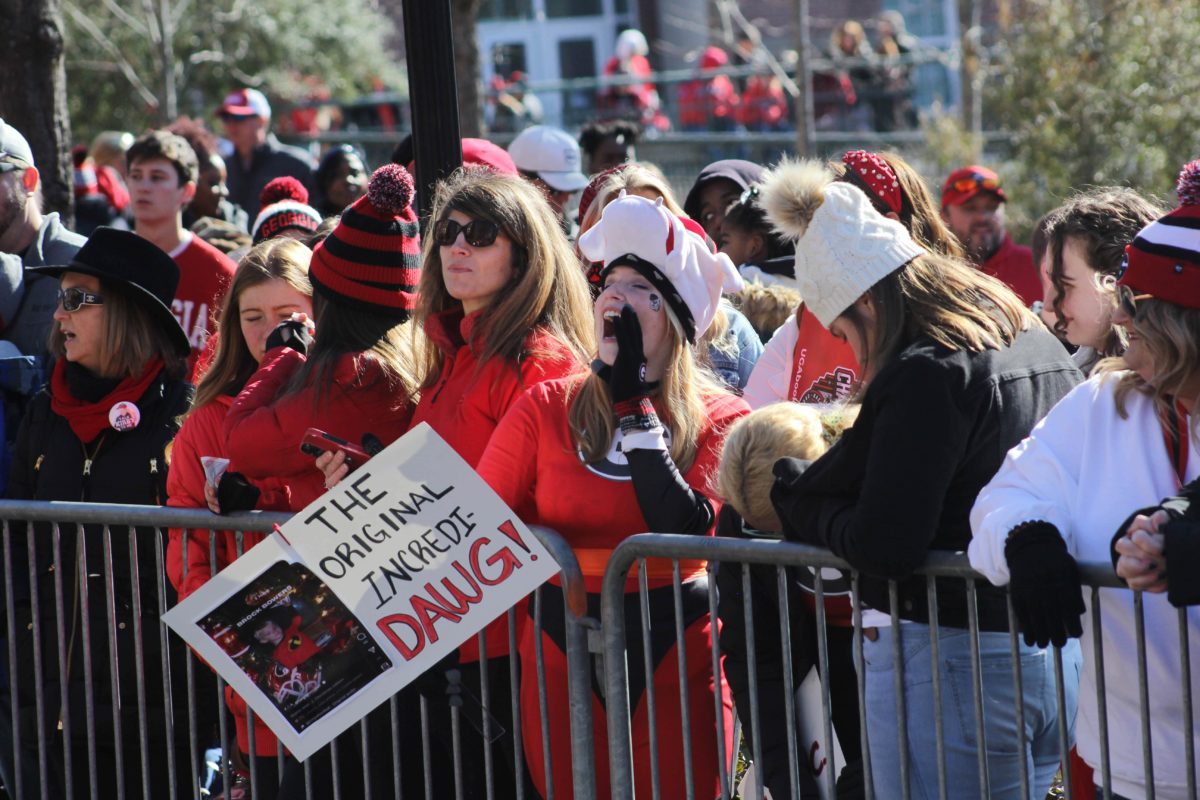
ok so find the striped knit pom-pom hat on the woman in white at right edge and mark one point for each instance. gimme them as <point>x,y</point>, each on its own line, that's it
<point>1165,258</point>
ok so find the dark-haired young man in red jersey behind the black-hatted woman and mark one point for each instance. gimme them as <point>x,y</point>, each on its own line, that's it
<point>163,172</point>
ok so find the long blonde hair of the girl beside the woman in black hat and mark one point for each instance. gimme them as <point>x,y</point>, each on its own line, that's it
<point>284,260</point>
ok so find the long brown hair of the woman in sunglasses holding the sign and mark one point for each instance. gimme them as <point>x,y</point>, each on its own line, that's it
<point>548,290</point>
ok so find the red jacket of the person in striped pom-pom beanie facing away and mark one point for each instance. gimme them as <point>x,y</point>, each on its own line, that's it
<point>263,431</point>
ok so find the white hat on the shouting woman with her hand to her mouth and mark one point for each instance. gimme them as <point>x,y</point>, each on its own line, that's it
<point>643,234</point>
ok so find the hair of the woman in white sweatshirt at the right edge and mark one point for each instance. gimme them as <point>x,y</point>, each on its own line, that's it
<point>1172,336</point>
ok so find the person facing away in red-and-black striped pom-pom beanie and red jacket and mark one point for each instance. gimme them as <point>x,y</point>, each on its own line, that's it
<point>358,375</point>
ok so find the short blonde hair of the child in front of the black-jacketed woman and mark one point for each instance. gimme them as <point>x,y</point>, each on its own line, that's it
<point>757,442</point>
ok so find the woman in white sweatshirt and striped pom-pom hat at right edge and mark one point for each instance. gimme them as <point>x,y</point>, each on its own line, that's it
<point>1123,442</point>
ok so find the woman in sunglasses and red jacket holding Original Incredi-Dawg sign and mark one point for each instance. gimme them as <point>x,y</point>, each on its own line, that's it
<point>503,308</point>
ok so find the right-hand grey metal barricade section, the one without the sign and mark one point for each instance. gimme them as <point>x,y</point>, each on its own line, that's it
<point>783,560</point>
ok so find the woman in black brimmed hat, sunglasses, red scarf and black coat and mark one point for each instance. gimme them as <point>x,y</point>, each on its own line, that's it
<point>99,434</point>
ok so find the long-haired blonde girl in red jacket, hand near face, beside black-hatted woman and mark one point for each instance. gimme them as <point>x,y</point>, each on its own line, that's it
<point>271,285</point>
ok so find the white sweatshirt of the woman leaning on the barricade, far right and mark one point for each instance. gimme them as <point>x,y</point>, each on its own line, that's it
<point>1085,471</point>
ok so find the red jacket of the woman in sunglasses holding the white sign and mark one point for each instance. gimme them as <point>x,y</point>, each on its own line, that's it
<point>470,399</point>
